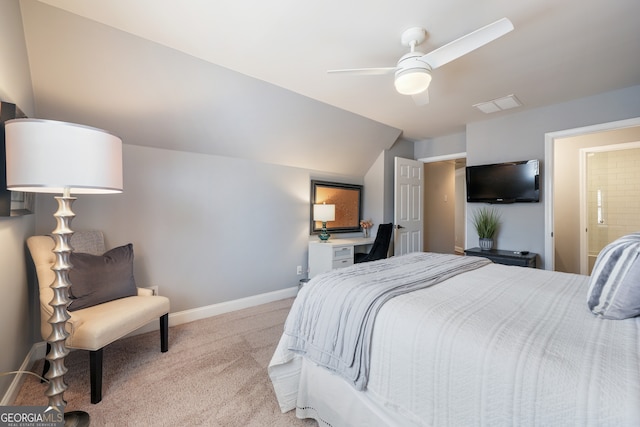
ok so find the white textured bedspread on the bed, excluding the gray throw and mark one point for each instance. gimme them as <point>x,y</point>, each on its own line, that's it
<point>497,346</point>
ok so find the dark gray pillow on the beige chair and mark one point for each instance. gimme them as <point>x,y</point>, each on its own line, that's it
<point>96,279</point>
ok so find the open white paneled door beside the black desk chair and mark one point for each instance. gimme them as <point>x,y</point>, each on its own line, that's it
<point>408,217</point>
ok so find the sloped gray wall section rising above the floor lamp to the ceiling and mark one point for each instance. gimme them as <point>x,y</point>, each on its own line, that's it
<point>152,95</point>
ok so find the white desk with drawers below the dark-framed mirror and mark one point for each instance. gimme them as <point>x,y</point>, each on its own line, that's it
<point>334,253</point>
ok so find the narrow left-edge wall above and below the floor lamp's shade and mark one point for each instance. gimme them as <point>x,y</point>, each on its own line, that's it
<point>16,320</point>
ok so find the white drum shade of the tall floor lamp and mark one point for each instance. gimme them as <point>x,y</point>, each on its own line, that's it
<point>46,156</point>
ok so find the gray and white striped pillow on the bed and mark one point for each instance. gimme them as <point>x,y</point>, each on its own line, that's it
<point>614,287</point>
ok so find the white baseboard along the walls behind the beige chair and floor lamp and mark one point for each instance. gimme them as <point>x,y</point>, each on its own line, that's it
<point>39,349</point>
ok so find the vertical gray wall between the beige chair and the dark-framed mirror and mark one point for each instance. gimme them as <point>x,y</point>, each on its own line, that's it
<point>206,229</point>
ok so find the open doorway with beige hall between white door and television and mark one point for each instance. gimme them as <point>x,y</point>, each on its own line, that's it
<point>444,206</point>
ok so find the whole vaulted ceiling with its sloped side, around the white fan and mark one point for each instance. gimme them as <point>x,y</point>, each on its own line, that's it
<point>248,78</point>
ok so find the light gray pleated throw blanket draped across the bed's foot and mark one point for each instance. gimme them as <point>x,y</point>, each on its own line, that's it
<point>331,321</point>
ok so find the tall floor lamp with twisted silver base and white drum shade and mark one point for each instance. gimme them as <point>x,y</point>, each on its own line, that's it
<point>45,156</point>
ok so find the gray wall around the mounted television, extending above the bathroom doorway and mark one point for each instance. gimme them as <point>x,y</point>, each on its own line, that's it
<point>521,136</point>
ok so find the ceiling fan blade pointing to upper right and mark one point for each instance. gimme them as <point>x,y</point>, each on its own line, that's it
<point>468,43</point>
